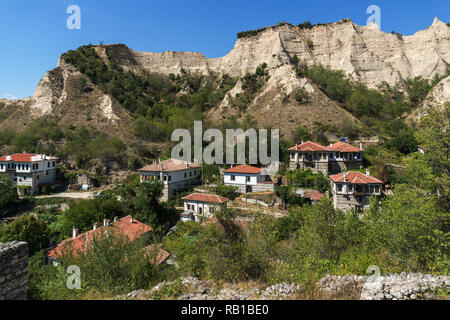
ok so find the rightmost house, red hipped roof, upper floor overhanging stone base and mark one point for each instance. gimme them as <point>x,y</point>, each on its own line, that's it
<point>352,190</point>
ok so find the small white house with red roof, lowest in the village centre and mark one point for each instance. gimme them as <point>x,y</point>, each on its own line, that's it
<point>199,205</point>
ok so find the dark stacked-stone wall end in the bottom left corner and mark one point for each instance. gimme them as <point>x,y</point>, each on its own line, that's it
<point>13,270</point>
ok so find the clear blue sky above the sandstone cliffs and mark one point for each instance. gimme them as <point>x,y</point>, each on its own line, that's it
<point>33,34</point>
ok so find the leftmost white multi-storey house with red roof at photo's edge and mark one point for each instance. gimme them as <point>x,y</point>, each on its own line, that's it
<point>31,171</point>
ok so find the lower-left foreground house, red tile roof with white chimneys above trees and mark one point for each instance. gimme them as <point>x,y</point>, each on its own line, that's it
<point>128,227</point>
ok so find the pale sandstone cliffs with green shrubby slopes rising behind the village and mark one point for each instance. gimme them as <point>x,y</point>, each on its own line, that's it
<point>273,77</point>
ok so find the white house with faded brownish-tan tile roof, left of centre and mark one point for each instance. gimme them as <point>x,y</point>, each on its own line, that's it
<point>177,175</point>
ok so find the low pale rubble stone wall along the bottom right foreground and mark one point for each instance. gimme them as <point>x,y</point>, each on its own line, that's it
<point>389,287</point>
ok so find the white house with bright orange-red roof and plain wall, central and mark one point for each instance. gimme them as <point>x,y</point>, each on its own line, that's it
<point>248,179</point>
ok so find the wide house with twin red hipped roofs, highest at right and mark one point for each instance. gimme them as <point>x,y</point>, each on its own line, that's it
<point>334,158</point>
